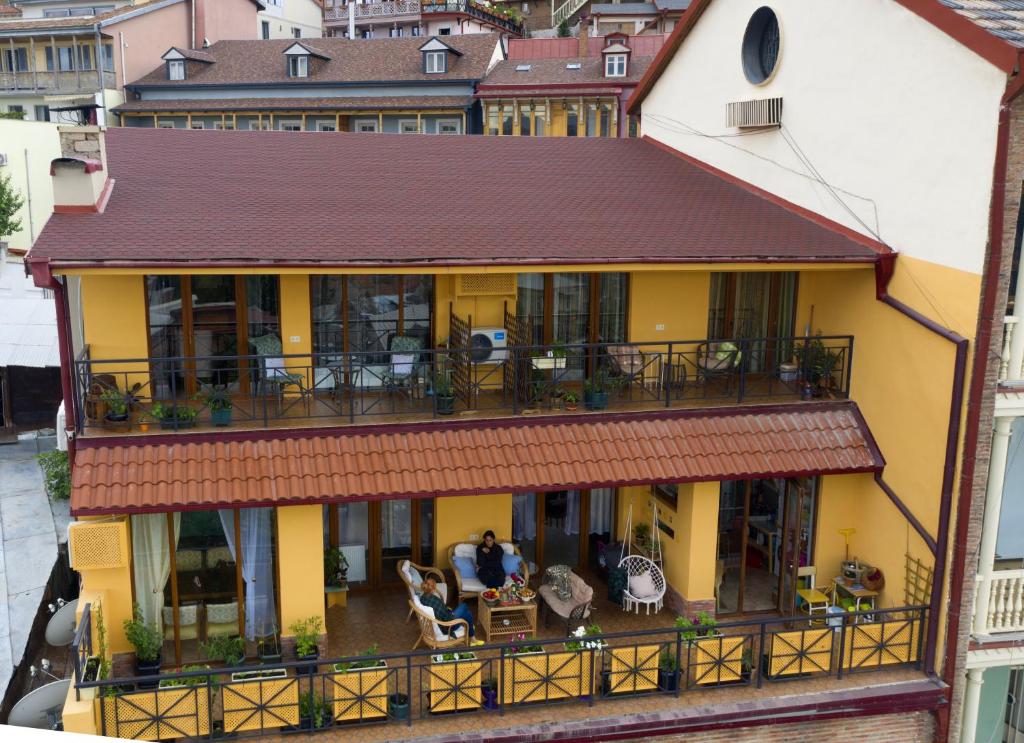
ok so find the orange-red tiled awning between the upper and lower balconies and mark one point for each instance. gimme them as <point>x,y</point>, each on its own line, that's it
<point>463,458</point>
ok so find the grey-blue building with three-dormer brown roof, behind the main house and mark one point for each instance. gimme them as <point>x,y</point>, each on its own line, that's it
<point>385,85</point>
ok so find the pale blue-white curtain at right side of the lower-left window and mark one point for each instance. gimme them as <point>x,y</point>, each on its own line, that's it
<point>258,566</point>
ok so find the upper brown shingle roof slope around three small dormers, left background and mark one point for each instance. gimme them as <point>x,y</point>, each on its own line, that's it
<point>263,61</point>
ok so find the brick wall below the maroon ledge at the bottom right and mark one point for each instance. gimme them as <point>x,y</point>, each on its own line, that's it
<point>894,728</point>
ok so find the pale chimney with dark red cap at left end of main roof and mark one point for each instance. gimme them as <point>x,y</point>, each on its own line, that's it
<point>80,180</point>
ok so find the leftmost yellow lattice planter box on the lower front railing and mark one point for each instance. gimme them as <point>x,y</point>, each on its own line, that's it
<point>157,715</point>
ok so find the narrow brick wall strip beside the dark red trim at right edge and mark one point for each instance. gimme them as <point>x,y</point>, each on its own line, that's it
<point>965,603</point>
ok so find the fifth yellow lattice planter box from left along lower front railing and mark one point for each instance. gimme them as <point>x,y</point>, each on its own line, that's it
<point>543,677</point>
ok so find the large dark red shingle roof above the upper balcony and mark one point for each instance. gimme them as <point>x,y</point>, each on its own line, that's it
<point>202,196</point>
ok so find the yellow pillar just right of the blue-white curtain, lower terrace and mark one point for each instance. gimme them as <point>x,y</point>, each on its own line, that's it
<point>301,564</point>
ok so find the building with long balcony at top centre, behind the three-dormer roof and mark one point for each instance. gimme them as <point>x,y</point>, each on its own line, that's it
<point>381,19</point>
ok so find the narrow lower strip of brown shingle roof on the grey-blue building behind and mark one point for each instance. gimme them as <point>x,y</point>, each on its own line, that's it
<point>338,104</point>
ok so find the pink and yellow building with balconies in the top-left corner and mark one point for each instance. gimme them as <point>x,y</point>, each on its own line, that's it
<point>68,61</point>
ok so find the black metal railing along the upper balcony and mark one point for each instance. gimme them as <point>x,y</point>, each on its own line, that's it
<point>179,392</point>
